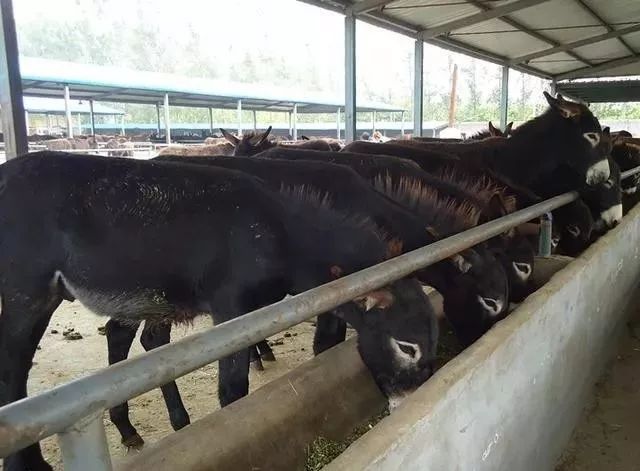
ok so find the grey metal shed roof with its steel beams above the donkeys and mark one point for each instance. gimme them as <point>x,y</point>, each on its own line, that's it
<point>553,39</point>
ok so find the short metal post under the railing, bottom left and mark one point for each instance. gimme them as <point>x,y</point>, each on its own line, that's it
<point>84,445</point>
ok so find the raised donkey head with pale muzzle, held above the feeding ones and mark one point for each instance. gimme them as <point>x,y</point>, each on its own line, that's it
<point>580,139</point>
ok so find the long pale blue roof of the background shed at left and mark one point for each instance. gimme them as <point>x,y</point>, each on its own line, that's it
<point>47,78</point>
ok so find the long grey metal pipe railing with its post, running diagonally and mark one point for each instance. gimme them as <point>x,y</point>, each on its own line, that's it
<point>74,410</point>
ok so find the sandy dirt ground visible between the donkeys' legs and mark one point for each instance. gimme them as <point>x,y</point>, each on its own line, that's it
<point>60,361</point>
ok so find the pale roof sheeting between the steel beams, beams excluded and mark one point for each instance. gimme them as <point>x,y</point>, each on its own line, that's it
<point>546,24</point>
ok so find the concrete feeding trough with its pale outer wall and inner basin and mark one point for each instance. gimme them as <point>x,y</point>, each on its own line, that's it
<point>510,401</point>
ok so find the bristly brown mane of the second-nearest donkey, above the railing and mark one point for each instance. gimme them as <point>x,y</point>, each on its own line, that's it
<point>448,216</point>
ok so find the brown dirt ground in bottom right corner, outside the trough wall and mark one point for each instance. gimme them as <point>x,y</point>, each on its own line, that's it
<point>608,436</point>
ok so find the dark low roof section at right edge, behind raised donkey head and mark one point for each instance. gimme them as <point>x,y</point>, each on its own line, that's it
<point>602,91</point>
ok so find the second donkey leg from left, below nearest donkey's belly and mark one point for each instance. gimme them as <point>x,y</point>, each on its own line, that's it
<point>119,339</point>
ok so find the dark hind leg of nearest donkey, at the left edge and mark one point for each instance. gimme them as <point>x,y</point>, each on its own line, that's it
<point>23,320</point>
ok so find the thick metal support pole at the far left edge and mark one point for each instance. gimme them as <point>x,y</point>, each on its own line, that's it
<point>11,105</point>
